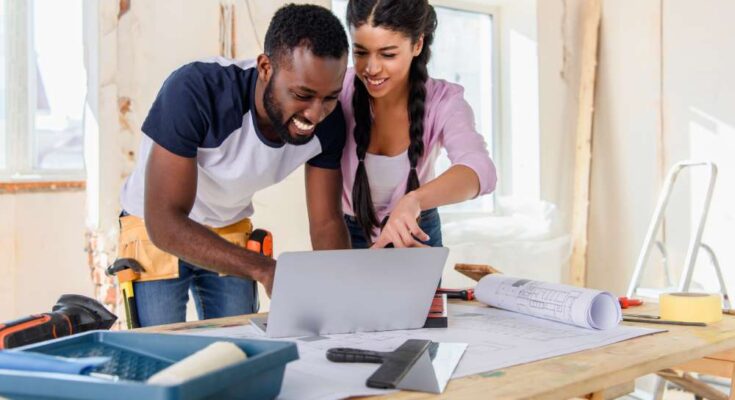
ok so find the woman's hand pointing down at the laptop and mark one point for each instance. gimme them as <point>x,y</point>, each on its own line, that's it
<point>402,228</point>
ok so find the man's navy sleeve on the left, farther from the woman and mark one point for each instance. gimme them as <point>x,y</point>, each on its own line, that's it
<point>179,118</point>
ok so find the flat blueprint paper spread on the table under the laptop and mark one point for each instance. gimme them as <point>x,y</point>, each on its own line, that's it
<point>496,338</point>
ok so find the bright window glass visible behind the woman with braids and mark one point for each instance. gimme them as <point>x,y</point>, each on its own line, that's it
<point>463,52</point>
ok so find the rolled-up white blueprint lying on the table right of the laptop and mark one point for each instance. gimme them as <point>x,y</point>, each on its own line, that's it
<point>587,308</point>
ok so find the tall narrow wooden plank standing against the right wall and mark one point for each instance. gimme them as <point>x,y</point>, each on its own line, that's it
<point>583,153</point>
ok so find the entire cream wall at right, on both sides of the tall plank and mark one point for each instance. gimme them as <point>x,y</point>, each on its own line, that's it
<point>665,91</point>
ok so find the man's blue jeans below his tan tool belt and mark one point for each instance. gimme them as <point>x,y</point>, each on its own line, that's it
<point>164,301</point>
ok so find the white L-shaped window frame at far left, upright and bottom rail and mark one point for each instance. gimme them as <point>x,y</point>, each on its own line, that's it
<point>20,137</point>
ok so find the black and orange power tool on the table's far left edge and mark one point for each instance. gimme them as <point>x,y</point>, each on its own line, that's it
<point>72,314</point>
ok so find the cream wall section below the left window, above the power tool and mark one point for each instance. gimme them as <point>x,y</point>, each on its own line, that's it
<point>42,251</point>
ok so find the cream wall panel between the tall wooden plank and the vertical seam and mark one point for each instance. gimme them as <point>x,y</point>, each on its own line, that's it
<point>624,180</point>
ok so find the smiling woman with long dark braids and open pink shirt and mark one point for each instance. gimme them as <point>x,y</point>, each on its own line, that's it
<point>398,119</point>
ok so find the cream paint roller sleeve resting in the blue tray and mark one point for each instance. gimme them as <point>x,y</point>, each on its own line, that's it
<point>216,356</point>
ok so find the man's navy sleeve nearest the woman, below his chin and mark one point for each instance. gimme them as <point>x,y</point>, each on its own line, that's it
<point>331,134</point>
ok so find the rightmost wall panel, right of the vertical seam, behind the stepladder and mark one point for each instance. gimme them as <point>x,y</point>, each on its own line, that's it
<point>699,123</point>
